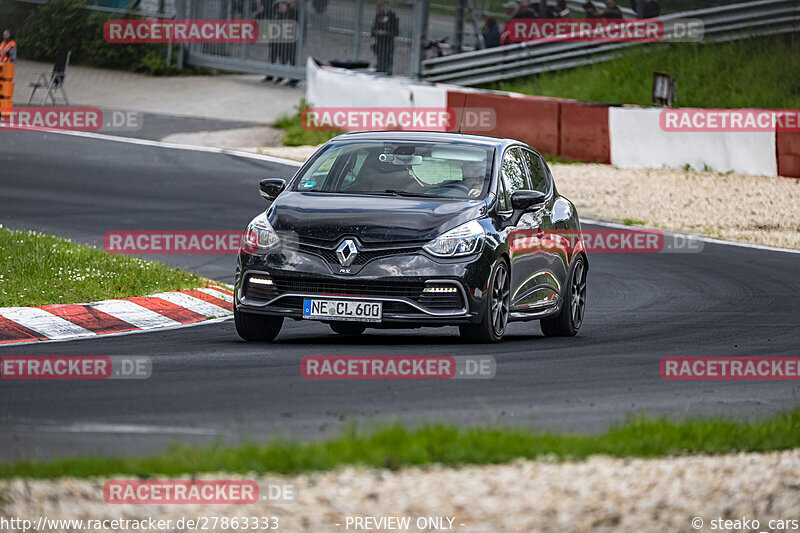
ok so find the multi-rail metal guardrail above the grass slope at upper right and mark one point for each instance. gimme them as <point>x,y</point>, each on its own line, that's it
<point>722,23</point>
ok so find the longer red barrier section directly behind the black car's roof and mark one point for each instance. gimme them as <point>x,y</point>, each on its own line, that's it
<point>531,119</point>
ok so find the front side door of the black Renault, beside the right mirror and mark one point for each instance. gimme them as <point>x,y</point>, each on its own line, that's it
<point>531,279</point>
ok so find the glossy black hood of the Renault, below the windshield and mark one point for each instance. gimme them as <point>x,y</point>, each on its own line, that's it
<point>372,219</point>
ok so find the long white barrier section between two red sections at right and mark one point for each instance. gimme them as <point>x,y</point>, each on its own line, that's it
<point>637,141</point>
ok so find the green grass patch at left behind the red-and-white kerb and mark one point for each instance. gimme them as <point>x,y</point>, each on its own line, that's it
<point>38,269</point>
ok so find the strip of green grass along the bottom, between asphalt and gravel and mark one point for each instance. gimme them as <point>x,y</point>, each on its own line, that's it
<point>395,447</point>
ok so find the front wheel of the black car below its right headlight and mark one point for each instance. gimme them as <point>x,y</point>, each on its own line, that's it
<point>495,314</point>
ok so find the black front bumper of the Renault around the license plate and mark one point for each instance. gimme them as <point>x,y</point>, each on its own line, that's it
<point>398,281</point>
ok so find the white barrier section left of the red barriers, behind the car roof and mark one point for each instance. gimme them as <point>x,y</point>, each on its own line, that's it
<point>336,87</point>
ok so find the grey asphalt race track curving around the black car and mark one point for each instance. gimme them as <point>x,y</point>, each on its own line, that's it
<point>207,384</point>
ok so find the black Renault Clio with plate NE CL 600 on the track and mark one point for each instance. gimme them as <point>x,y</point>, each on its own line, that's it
<point>401,229</point>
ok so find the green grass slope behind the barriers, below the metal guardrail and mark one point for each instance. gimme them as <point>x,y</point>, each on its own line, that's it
<point>750,73</point>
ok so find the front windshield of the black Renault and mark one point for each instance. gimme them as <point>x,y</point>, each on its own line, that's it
<point>436,170</point>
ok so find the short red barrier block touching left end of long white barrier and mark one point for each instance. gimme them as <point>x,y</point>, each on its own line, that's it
<point>584,132</point>
